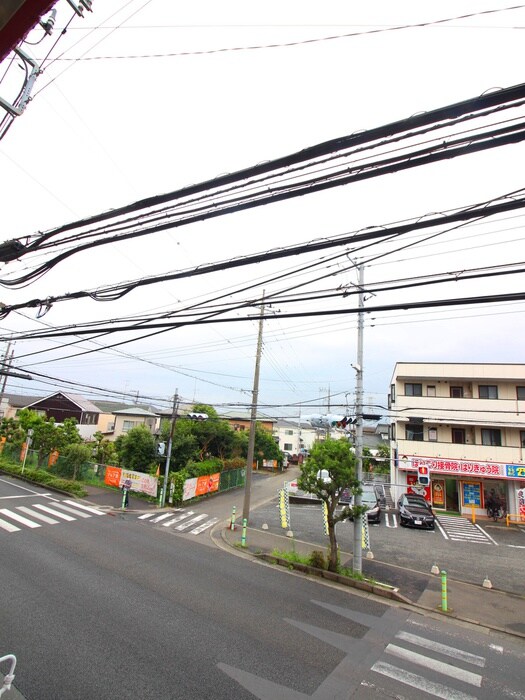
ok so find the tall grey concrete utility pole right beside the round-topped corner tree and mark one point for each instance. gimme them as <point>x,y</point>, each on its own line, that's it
<point>358,521</point>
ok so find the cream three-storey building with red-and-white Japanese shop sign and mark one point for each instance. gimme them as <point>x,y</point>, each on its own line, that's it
<point>463,426</point>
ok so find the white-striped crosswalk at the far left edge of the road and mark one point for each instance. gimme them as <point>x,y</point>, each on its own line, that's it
<point>38,514</point>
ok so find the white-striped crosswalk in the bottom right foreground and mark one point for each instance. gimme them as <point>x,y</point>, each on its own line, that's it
<point>424,664</point>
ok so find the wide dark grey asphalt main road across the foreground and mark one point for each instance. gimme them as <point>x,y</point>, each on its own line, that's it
<point>107,606</point>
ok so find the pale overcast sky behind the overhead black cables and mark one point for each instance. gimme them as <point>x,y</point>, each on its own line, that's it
<point>162,95</point>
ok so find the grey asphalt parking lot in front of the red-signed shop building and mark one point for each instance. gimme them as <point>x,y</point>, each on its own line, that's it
<point>467,552</point>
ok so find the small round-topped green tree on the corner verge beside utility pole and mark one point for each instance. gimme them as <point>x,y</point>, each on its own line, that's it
<point>337,458</point>
